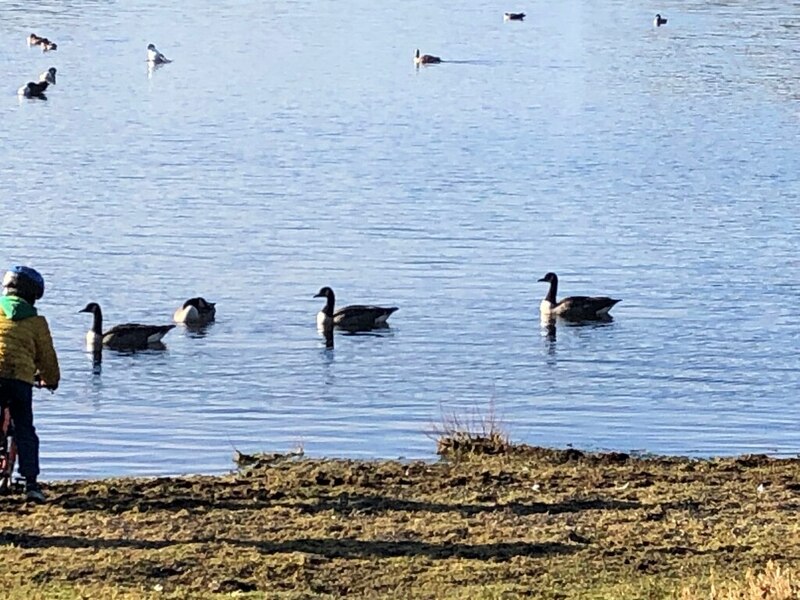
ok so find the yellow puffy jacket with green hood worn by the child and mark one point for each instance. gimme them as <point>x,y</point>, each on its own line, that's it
<point>26,346</point>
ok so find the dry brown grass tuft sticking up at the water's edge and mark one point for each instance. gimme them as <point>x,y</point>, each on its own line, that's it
<point>476,434</point>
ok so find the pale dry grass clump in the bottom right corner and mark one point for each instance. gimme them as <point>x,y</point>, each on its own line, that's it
<point>773,583</point>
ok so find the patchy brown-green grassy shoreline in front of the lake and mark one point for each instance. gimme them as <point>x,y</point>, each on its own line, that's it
<point>521,522</point>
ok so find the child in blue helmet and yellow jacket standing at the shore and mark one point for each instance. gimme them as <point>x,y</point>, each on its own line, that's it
<point>27,357</point>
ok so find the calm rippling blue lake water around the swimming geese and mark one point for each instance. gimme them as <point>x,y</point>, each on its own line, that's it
<point>293,145</point>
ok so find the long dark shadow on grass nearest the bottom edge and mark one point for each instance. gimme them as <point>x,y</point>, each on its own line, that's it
<point>329,548</point>
